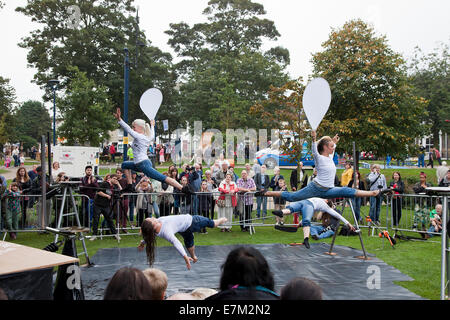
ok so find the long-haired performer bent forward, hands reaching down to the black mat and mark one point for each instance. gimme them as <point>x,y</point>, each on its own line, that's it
<point>166,227</point>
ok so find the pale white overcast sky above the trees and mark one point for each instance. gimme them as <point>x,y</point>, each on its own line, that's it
<point>303,25</point>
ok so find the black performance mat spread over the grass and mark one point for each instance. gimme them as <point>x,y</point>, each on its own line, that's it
<point>342,277</point>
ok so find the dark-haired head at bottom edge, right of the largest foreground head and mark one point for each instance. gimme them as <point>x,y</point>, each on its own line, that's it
<point>301,289</point>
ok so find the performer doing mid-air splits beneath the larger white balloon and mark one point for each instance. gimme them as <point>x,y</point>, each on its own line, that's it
<point>323,185</point>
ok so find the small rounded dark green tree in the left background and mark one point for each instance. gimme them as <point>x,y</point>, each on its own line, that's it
<point>32,121</point>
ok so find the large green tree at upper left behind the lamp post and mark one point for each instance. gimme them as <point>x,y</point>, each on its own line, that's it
<point>95,44</point>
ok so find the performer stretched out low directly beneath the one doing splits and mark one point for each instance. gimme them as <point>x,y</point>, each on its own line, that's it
<point>307,209</point>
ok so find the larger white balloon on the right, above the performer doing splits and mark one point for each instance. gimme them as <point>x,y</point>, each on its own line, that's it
<point>316,101</point>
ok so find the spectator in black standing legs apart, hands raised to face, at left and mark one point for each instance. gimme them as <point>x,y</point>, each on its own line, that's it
<point>103,204</point>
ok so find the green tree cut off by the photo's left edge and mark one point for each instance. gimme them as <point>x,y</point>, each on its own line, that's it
<point>7,101</point>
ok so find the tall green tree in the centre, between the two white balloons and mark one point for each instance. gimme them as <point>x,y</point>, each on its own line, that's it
<point>224,68</point>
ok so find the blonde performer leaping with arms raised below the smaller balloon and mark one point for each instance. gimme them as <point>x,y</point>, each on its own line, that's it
<point>143,135</point>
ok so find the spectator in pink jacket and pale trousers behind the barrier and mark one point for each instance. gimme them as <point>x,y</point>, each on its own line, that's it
<point>227,201</point>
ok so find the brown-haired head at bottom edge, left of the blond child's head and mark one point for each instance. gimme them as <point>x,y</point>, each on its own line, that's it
<point>128,284</point>
